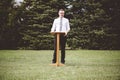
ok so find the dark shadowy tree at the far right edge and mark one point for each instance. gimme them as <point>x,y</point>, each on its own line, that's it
<point>112,9</point>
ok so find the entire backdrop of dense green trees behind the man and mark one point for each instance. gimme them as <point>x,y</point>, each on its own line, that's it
<point>94,24</point>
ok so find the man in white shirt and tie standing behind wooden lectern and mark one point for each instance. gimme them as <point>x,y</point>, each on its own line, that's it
<point>60,24</point>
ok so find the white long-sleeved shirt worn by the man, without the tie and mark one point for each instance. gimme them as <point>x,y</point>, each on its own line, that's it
<point>56,25</point>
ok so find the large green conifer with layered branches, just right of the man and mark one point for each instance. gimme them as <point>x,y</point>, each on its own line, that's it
<point>88,25</point>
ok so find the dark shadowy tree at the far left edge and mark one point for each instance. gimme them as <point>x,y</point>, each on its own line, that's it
<point>7,37</point>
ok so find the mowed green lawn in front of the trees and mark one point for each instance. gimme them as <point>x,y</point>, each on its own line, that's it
<point>80,65</point>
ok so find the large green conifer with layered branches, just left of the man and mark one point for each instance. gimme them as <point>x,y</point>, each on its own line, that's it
<point>37,21</point>
